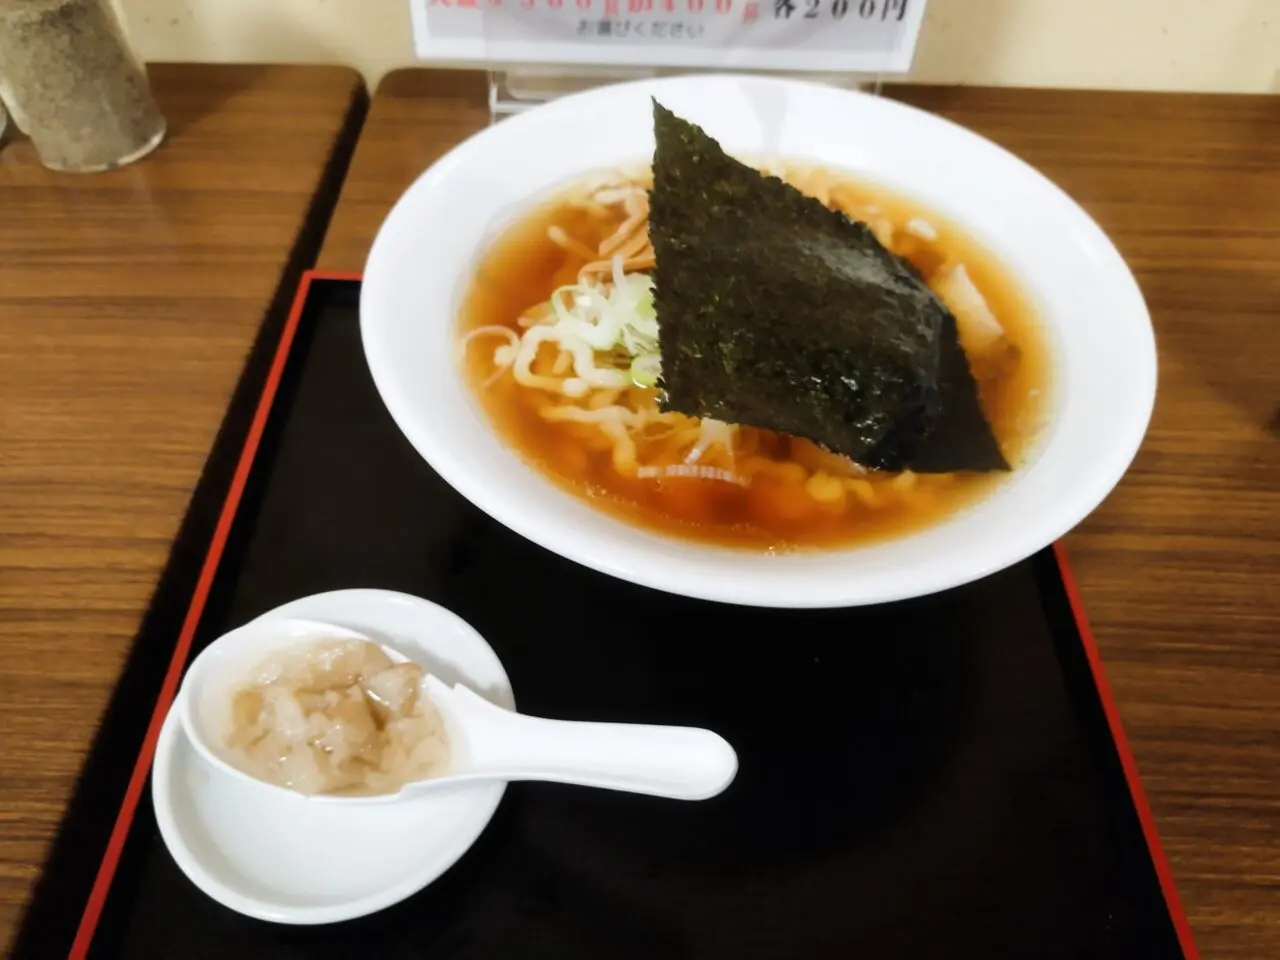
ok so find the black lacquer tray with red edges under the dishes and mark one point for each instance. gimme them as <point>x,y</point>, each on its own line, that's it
<point>936,779</point>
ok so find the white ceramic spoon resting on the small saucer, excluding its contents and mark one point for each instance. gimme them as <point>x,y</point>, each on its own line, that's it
<point>486,742</point>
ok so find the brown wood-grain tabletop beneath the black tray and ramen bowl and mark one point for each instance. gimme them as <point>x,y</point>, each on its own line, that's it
<point>1181,568</point>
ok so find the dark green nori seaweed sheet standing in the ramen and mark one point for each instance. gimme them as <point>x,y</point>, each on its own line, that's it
<point>778,313</point>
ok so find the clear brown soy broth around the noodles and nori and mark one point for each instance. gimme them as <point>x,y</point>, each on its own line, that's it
<point>524,267</point>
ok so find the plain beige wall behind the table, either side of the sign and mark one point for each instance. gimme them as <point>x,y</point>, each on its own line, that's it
<point>1186,45</point>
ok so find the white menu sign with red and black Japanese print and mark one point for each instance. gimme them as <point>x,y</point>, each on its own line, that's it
<point>836,36</point>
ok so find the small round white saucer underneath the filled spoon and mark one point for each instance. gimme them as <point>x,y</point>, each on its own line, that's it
<point>284,857</point>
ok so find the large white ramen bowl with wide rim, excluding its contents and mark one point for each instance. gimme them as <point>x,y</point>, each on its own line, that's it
<point>1104,378</point>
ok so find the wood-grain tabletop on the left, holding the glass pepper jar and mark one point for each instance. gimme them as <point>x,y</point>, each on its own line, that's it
<point>129,303</point>
